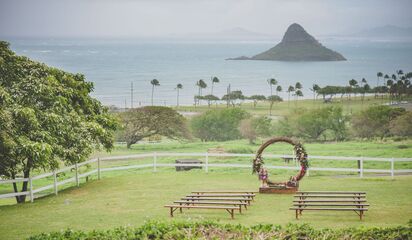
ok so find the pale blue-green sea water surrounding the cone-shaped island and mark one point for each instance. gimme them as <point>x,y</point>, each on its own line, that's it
<point>113,64</point>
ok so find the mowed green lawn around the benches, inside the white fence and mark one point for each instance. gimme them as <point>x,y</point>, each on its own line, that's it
<point>129,198</point>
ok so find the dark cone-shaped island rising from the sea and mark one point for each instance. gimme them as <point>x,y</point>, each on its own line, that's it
<point>297,45</point>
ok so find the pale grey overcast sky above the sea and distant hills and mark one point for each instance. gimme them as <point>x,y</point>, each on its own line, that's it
<point>134,18</point>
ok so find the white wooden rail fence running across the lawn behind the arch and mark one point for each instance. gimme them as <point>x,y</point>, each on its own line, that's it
<point>32,190</point>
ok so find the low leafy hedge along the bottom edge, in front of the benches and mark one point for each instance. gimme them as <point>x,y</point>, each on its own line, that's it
<point>213,230</point>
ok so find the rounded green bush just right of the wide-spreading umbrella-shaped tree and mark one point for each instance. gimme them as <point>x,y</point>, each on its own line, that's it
<point>218,125</point>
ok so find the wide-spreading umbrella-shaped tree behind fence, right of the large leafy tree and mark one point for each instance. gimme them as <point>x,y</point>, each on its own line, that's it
<point>148,121</point>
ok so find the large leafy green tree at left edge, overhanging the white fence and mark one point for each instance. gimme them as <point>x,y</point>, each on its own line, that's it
<point>47,117</point>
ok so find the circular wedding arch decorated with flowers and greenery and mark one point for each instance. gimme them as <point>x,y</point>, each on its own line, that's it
<point>300,153</point>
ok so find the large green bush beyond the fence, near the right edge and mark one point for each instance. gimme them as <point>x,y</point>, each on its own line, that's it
<point>375,121</point>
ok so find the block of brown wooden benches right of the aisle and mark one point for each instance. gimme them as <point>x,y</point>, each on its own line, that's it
<point>330,201</point>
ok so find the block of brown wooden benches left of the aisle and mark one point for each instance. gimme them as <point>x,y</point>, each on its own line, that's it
<point>230,201</point>
